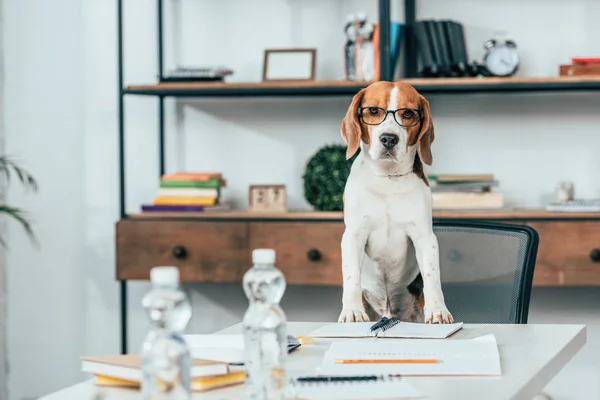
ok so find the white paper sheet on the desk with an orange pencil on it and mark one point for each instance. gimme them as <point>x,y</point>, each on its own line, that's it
<point>455,357</point>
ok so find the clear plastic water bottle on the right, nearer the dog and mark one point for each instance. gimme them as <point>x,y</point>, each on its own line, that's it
<point>265,330</point>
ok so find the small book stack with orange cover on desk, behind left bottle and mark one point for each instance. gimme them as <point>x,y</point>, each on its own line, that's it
<point>125,371</point>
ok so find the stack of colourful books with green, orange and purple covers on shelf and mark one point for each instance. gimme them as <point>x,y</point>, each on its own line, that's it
<point>187,191</point>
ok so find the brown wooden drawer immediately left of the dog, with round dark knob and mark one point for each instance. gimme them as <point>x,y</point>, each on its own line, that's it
<point>308,253</point>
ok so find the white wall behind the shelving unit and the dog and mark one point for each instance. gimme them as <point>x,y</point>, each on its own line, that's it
<point>61,119</point>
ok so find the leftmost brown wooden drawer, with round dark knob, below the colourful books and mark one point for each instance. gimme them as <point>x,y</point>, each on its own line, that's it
<point>204,251</point>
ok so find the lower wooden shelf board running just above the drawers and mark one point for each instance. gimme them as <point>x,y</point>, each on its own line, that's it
<point>521,214</point>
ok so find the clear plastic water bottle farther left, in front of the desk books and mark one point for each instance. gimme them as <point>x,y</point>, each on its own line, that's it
<point>165,356</point>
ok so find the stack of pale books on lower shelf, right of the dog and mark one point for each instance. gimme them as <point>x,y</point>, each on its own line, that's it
<point>462,192</point>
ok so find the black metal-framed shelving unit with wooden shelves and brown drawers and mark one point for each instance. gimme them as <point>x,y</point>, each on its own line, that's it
<point>238,230</point>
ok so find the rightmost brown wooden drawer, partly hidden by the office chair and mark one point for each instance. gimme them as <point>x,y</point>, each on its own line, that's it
<point>565,253</point>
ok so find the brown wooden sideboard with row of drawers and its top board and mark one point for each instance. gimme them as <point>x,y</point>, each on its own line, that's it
<point>217,247</point>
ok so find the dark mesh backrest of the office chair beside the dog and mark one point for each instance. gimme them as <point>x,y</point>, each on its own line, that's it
<point>487,269</point>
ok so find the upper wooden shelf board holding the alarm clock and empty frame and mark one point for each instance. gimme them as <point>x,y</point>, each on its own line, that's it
<point>312,88</point>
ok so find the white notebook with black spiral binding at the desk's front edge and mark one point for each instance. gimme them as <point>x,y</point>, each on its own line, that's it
<point>352,388</point>
